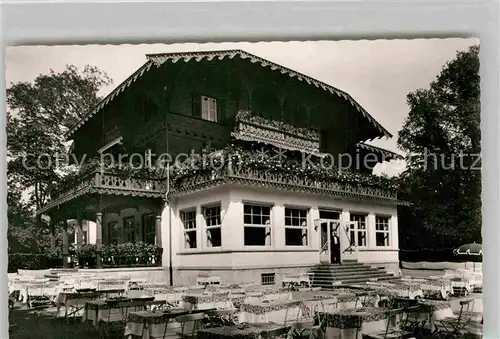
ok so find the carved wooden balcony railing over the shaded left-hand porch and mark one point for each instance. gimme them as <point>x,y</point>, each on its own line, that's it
<point>102,182</point>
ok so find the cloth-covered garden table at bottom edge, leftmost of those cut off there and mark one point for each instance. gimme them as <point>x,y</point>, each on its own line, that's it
<point>147,324</point>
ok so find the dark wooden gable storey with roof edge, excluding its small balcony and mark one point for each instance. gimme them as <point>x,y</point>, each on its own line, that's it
<point>169,89</point>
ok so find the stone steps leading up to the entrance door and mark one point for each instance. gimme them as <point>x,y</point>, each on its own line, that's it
<point>327,276</point>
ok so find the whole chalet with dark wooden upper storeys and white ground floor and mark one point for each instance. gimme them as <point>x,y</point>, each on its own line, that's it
<point>234,166</point>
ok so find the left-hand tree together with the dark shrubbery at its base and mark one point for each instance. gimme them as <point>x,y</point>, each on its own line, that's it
<point>38,115</point>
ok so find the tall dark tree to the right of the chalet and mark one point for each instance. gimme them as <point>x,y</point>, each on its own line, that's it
<point>442,138</point>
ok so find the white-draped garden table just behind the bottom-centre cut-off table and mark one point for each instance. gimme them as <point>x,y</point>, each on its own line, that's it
<point>278,311</point>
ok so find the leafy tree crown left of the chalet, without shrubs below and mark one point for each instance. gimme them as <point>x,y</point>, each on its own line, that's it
<point>39,114</point>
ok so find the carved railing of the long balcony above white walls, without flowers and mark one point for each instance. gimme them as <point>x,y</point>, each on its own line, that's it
<point>258,178</point>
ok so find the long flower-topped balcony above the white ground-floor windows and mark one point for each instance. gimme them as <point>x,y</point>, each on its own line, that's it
<point>252,169</point>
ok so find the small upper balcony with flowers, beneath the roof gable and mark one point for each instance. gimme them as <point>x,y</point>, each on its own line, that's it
<point>285,136</point>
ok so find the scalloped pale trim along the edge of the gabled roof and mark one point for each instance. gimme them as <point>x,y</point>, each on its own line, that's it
<point>160,59</point>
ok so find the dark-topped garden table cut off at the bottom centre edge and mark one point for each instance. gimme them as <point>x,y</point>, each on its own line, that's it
<point>251,331</point>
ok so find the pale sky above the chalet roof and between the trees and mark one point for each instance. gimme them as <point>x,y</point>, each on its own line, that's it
<point>378,74</point>
